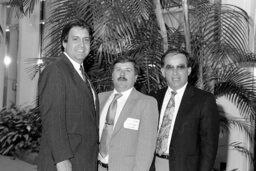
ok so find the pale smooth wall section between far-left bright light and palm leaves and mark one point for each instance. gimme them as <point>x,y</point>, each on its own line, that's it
<point>29,48</point>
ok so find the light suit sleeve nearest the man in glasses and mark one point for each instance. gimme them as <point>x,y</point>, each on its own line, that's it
<point>147,136</point>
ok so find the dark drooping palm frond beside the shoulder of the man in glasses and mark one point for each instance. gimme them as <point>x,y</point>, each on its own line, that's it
<point>237,84</point>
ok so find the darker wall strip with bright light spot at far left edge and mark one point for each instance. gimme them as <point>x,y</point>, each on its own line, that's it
<point>9,49</point>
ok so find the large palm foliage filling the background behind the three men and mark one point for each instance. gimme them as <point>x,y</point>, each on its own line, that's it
<point>215,35</point>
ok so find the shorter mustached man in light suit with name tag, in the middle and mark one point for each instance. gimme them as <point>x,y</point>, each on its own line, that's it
<point>132,141</point>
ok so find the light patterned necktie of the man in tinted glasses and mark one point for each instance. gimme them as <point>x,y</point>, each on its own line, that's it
<point>162,139</point>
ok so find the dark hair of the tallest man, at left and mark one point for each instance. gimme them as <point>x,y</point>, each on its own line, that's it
<point>69,26</point>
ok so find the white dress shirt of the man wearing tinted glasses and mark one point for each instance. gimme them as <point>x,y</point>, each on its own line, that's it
<point>177,99</point>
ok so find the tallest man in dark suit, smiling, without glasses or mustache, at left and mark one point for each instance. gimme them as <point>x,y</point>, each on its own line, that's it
<point>69,107</point>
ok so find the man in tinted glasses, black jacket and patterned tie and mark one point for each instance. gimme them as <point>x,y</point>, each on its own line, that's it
<point>188,132</point>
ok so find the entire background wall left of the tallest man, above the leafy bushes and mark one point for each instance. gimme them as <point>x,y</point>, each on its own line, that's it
<point>21,46</point>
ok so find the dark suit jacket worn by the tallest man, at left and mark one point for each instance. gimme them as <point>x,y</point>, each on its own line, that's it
<point>69,119</point>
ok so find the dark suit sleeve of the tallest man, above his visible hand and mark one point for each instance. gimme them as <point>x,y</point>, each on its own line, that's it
<point>52,107</point>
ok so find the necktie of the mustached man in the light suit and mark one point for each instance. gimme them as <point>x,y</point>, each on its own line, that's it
<point>108,128</point>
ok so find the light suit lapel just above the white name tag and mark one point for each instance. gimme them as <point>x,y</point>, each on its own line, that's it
<point>126,111</point>
